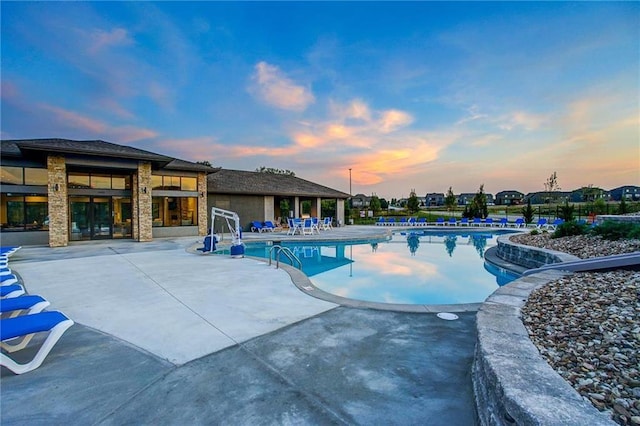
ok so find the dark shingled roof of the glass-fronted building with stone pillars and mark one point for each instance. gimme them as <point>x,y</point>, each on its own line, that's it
<point>99,148</point>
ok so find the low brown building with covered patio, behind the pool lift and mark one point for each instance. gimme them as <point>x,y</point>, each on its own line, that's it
<point>259,196</point>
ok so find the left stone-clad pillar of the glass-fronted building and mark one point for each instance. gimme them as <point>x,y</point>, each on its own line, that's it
<point>58,205</point>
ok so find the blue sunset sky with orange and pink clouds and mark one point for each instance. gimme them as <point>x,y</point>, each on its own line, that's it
<point>364,97</point>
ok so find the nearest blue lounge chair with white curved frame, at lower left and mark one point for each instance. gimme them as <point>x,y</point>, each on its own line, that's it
<point>16,333</point>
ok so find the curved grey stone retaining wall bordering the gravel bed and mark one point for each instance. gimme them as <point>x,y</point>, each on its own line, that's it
<point>513,384</point>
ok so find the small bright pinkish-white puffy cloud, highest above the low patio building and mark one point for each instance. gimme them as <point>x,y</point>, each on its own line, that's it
<point>276,89</point>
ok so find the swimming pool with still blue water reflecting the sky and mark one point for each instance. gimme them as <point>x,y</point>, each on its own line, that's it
<point>412,267</point>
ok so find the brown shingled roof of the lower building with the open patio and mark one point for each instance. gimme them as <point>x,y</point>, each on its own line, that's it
<point>258,183</point>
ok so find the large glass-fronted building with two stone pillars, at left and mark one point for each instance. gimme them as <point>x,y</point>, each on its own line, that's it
<point>59,190</point>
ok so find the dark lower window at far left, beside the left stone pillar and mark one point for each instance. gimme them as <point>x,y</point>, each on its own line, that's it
<point>24,213</point>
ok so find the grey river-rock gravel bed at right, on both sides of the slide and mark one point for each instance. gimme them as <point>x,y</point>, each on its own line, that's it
<point>587,326</point>
